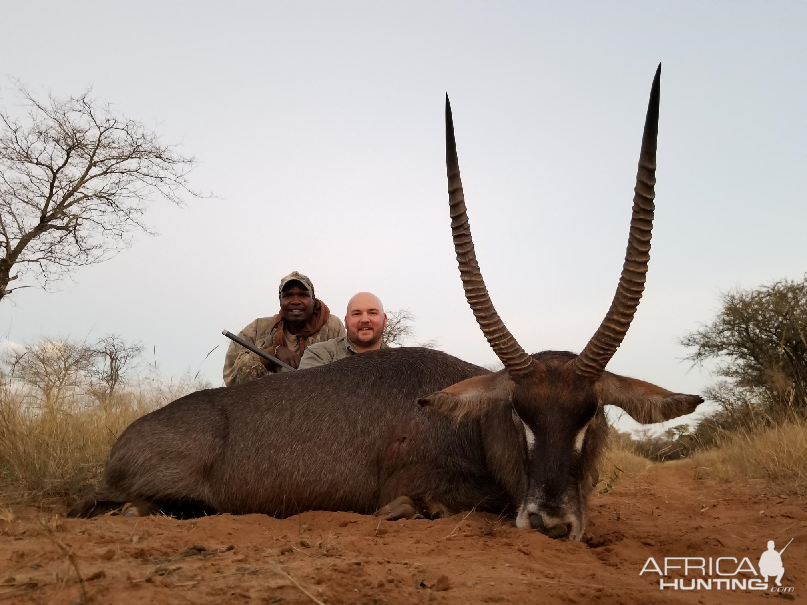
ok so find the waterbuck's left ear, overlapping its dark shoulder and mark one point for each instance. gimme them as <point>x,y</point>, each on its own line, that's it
<point>472,397</point>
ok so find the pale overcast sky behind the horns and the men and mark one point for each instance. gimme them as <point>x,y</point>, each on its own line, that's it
<point>319,126</point>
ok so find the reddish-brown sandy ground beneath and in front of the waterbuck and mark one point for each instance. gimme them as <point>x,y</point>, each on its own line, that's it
<point>470,558</point>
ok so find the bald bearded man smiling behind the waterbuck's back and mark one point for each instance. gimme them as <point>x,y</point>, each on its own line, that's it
<point>365,322</point>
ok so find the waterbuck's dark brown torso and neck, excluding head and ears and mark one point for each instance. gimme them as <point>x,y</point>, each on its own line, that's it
<point>347,436</point>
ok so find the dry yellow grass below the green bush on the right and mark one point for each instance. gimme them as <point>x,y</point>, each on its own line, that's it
<point>776,455</point>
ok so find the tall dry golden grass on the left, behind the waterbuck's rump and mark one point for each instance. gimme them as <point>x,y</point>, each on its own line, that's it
<point>56,449</point>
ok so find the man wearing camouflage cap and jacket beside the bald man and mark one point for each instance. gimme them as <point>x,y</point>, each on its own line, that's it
<point>302,320</point>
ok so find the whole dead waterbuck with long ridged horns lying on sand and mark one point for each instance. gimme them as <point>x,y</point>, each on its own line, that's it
<point>362,434</point>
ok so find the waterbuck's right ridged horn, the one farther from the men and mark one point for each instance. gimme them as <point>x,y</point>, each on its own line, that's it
<point>601,348</point>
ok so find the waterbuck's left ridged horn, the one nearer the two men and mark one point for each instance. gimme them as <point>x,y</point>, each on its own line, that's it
<point>515,360</point>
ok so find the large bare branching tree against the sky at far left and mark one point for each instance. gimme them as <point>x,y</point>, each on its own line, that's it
<point>75,179</point>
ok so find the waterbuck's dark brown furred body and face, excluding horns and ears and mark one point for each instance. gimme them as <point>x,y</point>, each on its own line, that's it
<point>351,436</point>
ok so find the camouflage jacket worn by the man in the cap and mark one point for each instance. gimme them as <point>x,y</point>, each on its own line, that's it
<point>242,365</point>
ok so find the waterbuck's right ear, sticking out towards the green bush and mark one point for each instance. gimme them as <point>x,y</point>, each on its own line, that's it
<point>644,402</point>
